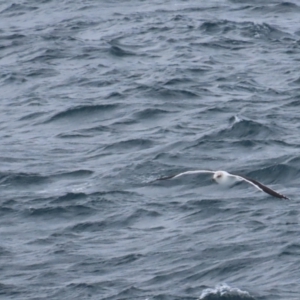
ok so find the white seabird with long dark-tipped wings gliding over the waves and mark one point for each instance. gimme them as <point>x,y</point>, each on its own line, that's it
<point>225,178</point>
